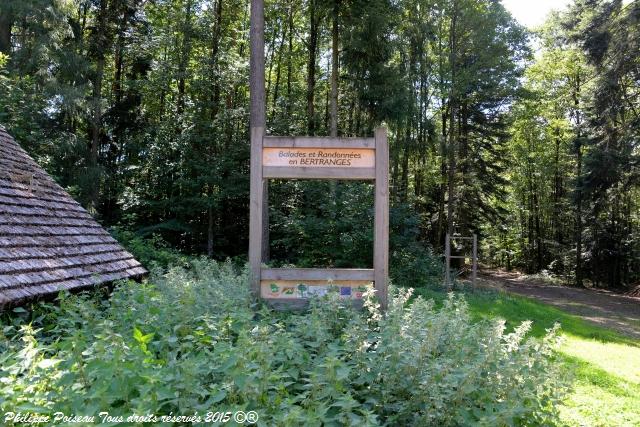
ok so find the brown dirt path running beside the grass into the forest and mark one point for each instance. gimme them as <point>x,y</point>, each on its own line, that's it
<point>604,308</point>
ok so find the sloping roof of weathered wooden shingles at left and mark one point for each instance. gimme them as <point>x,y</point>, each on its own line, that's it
<point>48,242</point>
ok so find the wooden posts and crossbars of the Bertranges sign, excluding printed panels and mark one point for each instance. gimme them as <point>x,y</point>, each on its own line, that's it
<point>379,173</point>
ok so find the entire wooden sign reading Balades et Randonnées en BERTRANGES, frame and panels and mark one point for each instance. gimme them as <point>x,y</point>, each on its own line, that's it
<point>319,158</point>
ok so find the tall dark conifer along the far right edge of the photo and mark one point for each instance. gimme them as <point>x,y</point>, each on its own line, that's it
<point>611,179</point>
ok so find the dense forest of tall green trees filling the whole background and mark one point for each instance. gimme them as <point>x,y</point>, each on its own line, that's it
<point>528,139</point>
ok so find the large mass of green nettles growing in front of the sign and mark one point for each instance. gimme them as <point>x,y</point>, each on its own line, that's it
<point>190,341</point>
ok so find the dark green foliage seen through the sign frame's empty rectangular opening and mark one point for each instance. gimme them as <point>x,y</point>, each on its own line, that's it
<point>315,224</point>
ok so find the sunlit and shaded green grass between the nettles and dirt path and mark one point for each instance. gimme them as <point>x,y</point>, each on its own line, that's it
<point>604,365</point>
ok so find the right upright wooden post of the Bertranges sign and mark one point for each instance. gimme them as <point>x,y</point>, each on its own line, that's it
<point>381,228</point>
